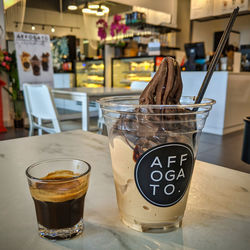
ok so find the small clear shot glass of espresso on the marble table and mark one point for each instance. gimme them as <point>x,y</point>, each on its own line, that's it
<point>58,188</point>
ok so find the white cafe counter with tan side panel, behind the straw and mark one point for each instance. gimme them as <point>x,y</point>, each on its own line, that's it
<point>232,94</point>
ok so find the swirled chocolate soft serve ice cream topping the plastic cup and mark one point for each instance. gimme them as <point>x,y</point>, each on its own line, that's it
<point>164,89</point>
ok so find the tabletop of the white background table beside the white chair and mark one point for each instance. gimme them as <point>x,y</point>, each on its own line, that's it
<point>105,91</point>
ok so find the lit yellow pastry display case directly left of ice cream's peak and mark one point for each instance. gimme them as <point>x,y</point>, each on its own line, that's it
<point>133,69</point>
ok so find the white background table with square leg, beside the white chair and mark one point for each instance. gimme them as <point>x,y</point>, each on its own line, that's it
<point>86,95</point>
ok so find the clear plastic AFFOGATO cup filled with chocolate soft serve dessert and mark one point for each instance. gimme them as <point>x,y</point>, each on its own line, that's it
<point>153,146</point>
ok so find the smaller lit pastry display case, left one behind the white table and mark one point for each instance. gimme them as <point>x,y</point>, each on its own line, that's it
<point>90,73</point>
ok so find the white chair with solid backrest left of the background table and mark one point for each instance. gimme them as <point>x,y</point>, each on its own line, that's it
<point>40,109</point>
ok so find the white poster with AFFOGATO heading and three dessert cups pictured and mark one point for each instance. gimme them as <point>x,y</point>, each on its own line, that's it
<point>34,58</point>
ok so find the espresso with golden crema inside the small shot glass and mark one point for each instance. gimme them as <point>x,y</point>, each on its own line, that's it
<point>59,199</point>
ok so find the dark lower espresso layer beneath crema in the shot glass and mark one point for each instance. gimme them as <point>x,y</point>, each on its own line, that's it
<point>57,215</point>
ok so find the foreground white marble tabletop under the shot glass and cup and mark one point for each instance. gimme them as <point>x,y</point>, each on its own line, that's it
<point>217,215</point>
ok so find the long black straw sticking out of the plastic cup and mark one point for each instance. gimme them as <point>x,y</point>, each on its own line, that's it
<point>216,56</point>
